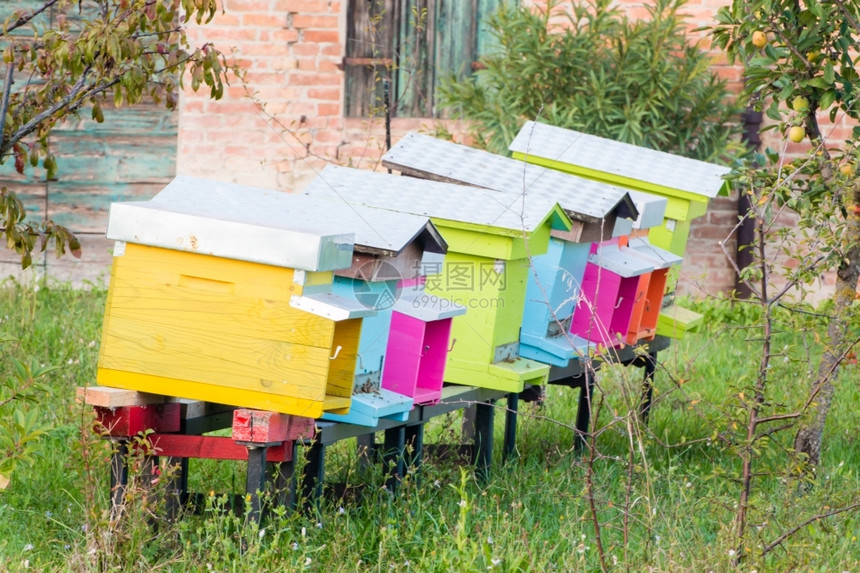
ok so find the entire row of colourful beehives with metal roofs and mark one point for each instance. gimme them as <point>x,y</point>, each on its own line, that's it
<point>356,299</point>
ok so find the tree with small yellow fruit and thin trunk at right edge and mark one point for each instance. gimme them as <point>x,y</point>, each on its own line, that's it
<point>799,63</point>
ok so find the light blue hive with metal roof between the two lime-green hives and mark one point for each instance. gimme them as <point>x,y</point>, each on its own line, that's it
<point>595,209</point>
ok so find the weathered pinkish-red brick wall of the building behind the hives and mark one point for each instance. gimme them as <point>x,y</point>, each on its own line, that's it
<point>281,126</point>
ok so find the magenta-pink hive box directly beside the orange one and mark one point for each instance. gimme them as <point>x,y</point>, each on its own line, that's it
<point>592,318</point>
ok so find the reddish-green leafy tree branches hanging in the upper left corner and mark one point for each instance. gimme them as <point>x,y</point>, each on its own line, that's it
<point>65,57</point>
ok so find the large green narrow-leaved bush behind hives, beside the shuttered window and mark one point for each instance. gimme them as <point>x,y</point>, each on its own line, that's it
<point>592,69</point>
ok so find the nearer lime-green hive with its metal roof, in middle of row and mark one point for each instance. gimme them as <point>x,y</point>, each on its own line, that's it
<point>490,238</point>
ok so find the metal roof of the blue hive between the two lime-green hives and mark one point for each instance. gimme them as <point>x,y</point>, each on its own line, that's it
<point>582,199</point>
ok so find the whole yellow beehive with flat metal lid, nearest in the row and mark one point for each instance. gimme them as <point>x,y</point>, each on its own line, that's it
<point>215,327</point>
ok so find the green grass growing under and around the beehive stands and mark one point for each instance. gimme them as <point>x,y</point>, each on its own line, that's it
<point>666,504</point>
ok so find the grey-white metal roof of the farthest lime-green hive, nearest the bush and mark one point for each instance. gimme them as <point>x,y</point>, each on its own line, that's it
<point>620,159</point>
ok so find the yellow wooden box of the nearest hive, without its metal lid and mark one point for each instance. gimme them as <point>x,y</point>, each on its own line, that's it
<point>205,322</point>
